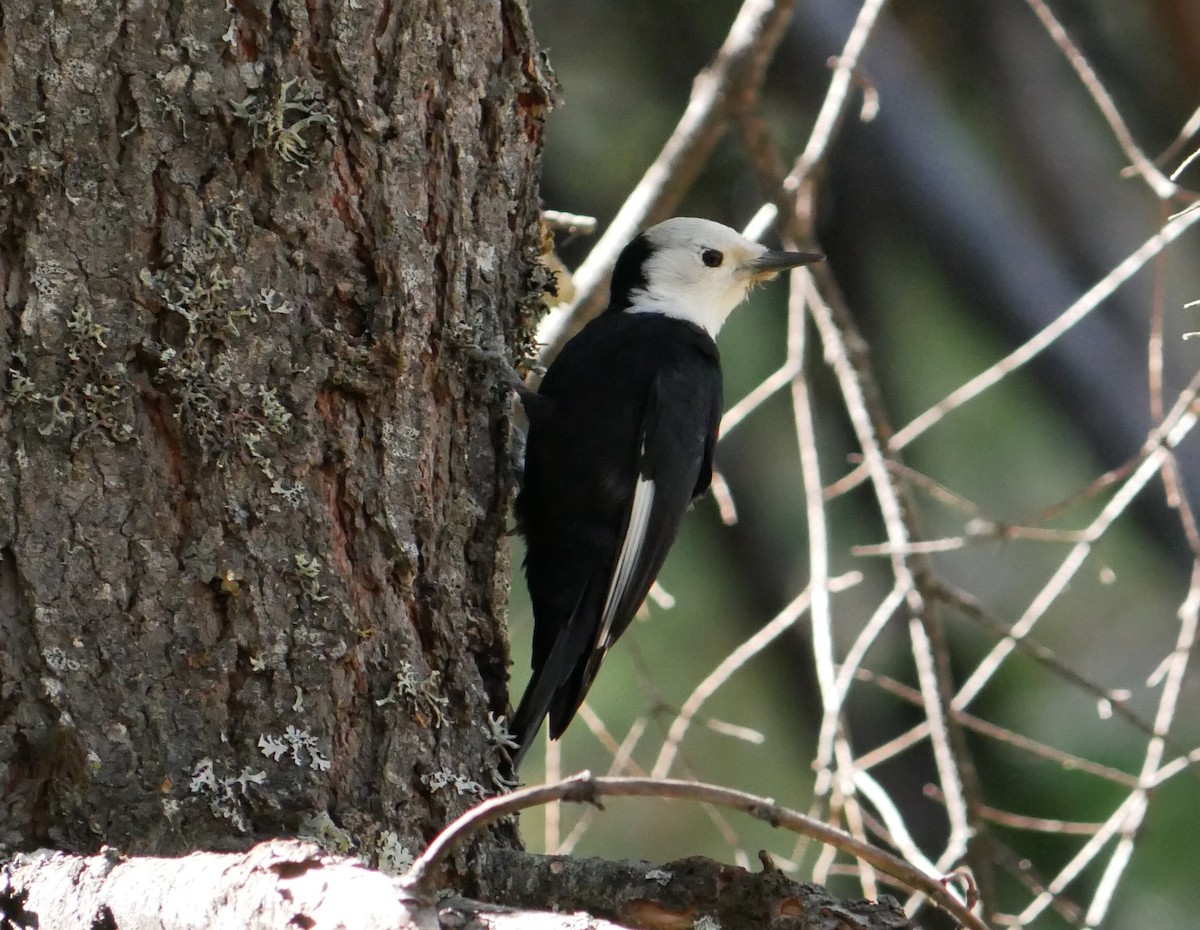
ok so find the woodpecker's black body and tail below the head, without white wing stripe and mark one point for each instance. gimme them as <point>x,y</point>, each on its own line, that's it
<point>596,429</point>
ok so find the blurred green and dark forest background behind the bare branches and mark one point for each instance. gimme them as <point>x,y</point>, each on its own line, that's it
<point>980,203</point>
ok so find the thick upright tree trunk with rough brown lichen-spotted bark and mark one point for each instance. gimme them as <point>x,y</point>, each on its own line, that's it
<point>253,496</point>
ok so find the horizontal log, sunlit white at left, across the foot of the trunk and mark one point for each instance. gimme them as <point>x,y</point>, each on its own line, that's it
<point>286,884</point>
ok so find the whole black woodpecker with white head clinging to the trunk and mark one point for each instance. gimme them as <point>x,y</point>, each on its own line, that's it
<point>621,441</point>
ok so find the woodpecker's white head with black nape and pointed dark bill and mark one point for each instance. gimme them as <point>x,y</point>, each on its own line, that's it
<point>694,269</point>
